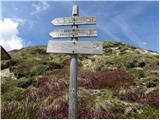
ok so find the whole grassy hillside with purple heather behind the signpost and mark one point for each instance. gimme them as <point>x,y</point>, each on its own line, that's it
<point>121,83</point>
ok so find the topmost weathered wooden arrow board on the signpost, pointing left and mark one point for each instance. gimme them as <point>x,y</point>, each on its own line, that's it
<point>77,21</point>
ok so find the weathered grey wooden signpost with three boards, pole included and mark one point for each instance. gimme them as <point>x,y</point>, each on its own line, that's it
<point>74,47</point>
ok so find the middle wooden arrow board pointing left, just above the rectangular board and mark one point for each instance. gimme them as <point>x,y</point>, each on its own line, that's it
<point>82,32</point>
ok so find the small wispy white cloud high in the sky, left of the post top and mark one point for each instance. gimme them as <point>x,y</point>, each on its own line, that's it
<point>40,6</point>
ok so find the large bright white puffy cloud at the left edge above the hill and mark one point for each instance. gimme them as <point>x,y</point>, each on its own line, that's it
<point>9,38</point>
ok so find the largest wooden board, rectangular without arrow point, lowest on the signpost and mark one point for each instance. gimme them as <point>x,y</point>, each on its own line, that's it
<point>77,47</point>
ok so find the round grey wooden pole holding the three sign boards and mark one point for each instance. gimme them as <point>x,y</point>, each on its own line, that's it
<point>73,73</point>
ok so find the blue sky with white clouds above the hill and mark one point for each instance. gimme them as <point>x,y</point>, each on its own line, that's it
<point>28,23</point>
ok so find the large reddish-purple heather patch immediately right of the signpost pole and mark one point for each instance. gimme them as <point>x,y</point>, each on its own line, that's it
<point>114,79</point>
